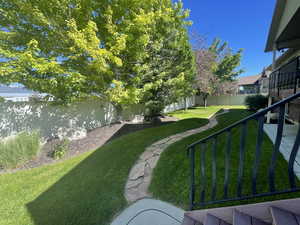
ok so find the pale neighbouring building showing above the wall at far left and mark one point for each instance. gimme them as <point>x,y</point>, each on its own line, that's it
<point>16,94</point>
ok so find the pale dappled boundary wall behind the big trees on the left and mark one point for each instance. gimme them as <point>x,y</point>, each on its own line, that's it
<point>72,121</point>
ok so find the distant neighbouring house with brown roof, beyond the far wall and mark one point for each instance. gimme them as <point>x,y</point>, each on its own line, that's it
<point>257,84</point>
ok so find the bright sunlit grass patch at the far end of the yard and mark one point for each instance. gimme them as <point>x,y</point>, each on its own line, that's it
<point>201,112</point>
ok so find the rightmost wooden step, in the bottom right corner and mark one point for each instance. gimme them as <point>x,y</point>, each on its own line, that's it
<point>283,217</point>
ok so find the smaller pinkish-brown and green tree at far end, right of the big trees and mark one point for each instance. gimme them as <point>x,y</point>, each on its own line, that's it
<point>217,67</point>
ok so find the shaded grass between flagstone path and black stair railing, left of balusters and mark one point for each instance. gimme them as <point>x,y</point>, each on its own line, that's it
<point>175,189</point>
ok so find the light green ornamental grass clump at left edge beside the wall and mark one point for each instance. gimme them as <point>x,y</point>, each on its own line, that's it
<point>17,150</point>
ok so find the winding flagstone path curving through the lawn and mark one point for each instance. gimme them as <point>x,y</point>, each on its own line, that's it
<point>141,173</point>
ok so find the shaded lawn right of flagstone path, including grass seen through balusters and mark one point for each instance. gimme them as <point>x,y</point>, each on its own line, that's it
<point>175,188</point>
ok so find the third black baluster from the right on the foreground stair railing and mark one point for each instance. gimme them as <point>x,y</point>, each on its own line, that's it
<point>259,141</point>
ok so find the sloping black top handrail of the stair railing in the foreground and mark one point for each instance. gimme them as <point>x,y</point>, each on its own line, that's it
<point>253,116</point>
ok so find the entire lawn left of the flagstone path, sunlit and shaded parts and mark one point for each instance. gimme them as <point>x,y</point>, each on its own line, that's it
<point>87,189</point>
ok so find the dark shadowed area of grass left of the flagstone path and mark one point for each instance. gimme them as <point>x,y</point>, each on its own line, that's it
<point>92,192</point>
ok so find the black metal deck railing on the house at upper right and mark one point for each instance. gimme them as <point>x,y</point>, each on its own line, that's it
<point>286,77</point>
